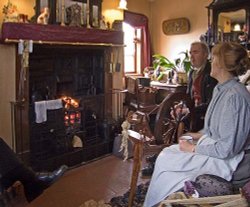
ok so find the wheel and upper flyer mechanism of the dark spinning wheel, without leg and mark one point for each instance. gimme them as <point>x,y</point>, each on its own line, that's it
<point>170,121</point>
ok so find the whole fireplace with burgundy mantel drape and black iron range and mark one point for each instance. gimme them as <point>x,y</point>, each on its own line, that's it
<point>65,62</point>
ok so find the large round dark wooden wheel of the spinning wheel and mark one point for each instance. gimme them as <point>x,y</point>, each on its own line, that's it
<point>169,122</point>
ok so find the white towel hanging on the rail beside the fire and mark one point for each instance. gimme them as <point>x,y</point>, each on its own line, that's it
<point>41,108</point>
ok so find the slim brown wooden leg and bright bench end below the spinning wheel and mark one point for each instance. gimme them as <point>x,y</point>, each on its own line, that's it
<point>137,140</point>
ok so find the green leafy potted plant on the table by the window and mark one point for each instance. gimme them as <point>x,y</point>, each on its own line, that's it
<point>177,68</point>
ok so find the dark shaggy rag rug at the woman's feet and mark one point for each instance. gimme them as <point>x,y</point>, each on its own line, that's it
<point>122,201</point>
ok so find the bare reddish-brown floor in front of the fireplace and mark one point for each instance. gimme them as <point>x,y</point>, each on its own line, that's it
<point>98,180</point>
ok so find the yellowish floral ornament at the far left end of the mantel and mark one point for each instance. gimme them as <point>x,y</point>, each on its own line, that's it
<point>10,13</point>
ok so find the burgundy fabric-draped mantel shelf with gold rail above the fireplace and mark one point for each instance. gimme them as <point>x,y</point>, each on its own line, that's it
<point>56,34</point>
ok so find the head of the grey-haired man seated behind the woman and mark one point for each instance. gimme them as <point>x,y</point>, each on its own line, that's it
<point>199,52</point>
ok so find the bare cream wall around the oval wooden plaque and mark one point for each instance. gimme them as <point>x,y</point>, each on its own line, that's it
<point>172,45</point>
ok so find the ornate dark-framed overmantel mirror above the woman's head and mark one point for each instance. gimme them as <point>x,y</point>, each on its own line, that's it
<point>229,20</point>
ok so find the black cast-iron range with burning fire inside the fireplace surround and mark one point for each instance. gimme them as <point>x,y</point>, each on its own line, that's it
<point>76,77</point>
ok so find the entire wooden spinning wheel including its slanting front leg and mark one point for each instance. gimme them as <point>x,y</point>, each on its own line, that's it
<point>165,131</point>
